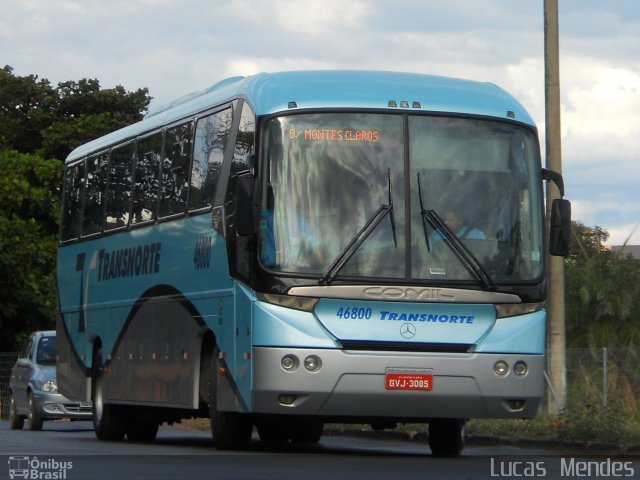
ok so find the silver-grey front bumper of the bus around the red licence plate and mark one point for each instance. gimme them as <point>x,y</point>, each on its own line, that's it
<point>353,384</point>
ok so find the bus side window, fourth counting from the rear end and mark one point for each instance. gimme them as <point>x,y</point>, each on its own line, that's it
<point>147,177</point>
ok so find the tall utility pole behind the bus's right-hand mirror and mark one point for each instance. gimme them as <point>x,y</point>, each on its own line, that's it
<point>556,341</point>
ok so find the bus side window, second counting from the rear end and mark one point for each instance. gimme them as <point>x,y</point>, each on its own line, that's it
<point>94,194</point>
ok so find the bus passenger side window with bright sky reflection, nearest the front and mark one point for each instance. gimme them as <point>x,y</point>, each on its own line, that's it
<point>212,134</point>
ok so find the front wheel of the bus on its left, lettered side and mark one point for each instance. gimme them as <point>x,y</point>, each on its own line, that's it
<point>230,430</point>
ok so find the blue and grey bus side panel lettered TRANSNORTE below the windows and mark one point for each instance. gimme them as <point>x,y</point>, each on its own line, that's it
<point>148,296</point>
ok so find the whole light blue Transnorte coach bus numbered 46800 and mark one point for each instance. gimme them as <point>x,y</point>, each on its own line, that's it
<point>288,249</point>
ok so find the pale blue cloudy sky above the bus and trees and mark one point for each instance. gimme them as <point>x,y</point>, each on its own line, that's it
<point>174,47</point>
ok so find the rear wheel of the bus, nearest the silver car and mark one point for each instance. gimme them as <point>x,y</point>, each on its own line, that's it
<point>108,421</point>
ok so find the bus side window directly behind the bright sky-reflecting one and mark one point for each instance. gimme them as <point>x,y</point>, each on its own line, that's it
<point>175,170</point>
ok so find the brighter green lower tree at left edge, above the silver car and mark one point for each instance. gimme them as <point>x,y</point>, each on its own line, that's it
<point>29,193</point>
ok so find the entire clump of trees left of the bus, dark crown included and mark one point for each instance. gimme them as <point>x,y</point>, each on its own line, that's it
<point>39,126</point>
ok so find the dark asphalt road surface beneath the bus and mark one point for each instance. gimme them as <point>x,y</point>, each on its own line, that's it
<point>70,451</point>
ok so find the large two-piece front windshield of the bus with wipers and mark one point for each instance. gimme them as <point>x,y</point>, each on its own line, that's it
<point>460,198</point>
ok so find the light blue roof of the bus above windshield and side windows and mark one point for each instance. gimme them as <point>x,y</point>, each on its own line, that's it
<point>270,93</point>
